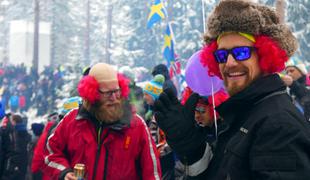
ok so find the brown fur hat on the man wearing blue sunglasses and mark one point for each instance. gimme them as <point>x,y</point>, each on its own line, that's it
<point>248,17</point>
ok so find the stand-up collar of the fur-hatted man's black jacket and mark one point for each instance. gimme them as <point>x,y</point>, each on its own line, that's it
<point>259,90</point>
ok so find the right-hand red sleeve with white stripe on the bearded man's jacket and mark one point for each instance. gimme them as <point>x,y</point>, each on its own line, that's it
<point>149,160</point>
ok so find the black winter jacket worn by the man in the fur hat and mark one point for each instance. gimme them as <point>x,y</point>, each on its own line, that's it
<point>267,137</point>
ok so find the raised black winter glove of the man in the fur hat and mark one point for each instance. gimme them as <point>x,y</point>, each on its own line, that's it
<point>178,123</point>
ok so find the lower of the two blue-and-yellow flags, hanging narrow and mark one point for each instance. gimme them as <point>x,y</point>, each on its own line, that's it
<point>169,46</point>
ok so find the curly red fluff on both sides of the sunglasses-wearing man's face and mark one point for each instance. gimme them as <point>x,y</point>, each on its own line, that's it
<point>271,57</point>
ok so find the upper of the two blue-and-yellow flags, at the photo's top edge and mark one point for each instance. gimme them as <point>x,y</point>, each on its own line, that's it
<point>157,13</point>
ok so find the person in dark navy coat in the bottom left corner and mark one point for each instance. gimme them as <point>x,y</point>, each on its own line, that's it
<point>15,139</point>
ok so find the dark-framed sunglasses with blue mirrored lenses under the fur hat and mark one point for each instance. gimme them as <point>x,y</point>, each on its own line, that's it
<point>240,53</point>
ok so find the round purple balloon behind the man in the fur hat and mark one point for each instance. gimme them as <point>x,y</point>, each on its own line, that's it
<point>197,78</point>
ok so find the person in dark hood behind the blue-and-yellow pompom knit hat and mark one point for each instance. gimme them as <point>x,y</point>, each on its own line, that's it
<point>163,70</point>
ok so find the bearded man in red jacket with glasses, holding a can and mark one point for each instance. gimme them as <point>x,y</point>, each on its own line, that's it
<point>104,134</point>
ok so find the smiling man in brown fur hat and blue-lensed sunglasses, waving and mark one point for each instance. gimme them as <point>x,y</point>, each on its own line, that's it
<point>266,137</point>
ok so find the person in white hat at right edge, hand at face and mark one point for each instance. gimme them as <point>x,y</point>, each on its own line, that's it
<point>298,83</point>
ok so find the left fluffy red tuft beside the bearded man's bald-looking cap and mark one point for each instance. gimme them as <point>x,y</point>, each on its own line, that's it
<point>88,89</point>
